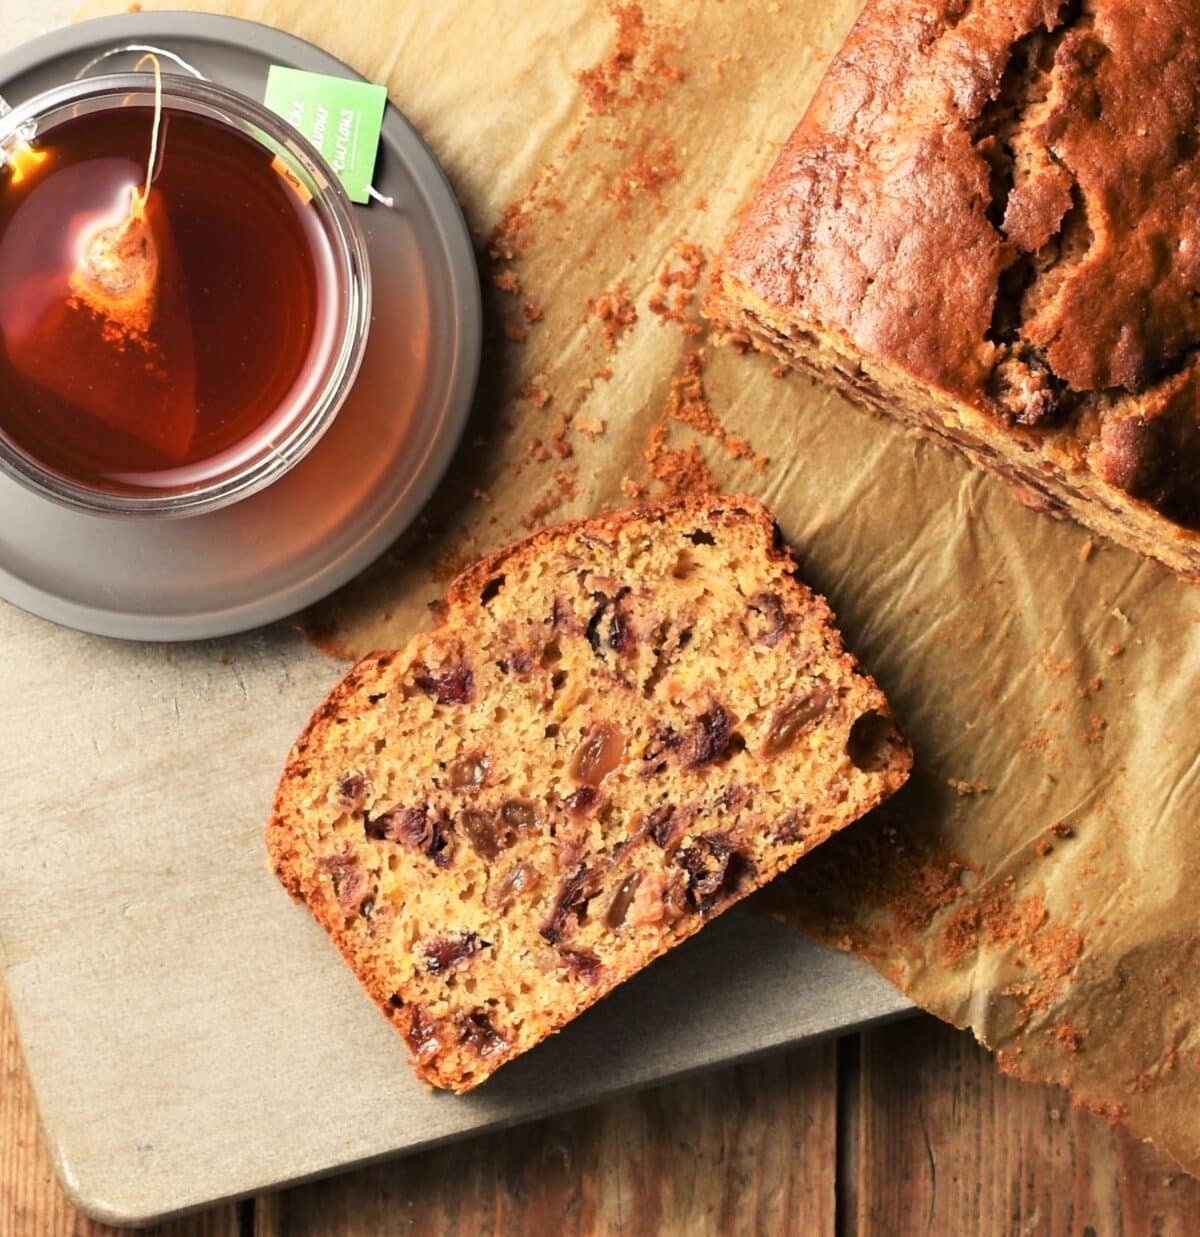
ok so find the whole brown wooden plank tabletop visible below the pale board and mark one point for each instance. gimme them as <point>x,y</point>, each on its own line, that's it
<point>904,1130</point>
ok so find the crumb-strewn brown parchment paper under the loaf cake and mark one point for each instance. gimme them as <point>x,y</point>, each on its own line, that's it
<point>1039,880</point>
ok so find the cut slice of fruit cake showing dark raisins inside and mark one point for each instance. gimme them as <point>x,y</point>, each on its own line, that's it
<point>617,730</point>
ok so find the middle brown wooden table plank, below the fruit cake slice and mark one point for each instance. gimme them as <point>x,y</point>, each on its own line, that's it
<point>750,1150</point>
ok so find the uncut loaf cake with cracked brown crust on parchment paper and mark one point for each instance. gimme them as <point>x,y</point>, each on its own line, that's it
<point>988,226</point>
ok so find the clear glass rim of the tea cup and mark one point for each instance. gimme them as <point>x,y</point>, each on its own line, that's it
<point>353,276</point>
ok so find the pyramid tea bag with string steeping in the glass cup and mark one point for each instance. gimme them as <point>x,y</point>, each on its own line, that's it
<point>108,328</point>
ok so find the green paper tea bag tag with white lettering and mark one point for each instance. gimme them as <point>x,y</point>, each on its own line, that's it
<point>341,117</point>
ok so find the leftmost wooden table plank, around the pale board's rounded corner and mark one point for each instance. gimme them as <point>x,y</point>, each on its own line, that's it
<point>30,1199</point>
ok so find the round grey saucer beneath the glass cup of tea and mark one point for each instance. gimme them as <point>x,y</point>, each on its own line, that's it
<point>362,486</point>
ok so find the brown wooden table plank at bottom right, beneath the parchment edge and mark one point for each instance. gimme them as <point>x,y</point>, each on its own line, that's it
<point>947,1145</point>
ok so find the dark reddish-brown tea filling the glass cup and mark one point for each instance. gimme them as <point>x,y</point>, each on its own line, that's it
<point>217,354</point>
